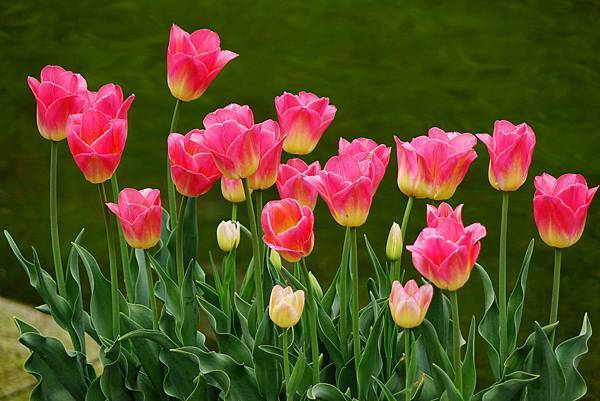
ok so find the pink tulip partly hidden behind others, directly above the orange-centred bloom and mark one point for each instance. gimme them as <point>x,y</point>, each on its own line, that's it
<point>292,182</point>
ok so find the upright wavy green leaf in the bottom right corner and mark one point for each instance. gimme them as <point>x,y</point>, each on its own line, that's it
<point>569,354</point>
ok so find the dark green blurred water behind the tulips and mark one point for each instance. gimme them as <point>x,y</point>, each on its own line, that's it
<point>390,67</point>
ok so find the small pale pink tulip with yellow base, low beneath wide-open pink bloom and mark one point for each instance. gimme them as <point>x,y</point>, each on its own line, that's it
<point>409,304</point>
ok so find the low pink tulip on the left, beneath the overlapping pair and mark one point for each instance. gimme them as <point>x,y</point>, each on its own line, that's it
<point>140,215</point>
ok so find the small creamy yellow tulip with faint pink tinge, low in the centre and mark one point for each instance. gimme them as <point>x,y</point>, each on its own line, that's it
<point>286,306</point>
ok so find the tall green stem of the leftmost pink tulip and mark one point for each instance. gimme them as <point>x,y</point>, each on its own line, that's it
<point>58,268</point>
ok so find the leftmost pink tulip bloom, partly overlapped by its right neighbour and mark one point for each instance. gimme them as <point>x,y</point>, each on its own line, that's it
<point>59,94</point>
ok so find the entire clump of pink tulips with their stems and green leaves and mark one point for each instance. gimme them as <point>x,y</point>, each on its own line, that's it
<point>261,337</point>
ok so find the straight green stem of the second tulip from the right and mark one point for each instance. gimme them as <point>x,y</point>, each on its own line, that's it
<point>502,280</point>
